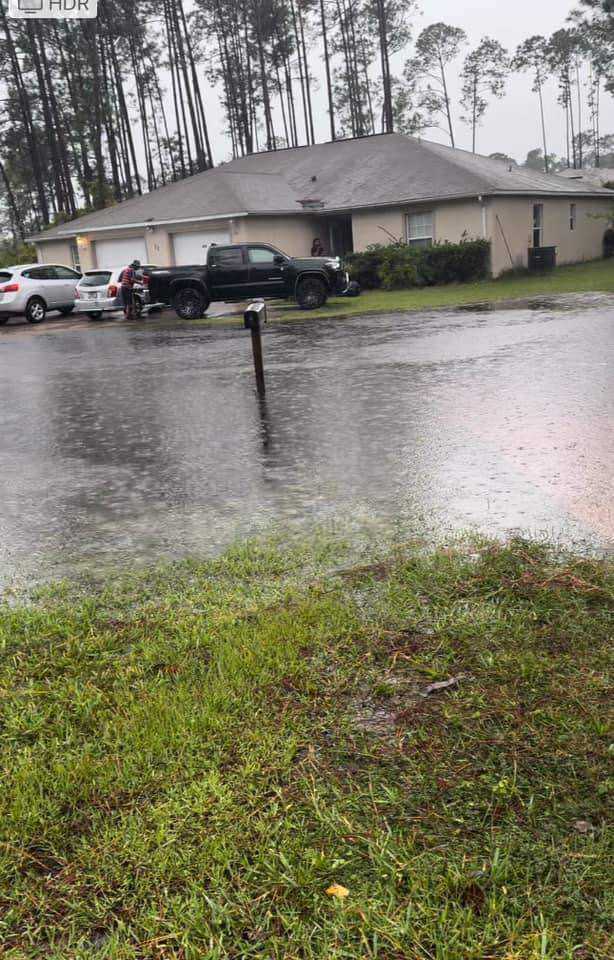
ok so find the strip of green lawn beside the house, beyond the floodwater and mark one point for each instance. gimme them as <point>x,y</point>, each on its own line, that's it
<point>597,275</point>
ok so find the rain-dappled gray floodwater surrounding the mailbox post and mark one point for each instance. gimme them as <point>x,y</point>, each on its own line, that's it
<point>130,443</point>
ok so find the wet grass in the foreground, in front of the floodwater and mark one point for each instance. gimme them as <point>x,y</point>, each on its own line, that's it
<point>193,757</point>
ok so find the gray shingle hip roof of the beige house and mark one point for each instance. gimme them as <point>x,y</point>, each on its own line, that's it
<point>346,174</point>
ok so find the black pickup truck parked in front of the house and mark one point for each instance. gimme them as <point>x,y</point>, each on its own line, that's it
<point>243,271</point>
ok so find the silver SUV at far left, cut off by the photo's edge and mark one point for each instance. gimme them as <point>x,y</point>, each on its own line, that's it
<point>30,290</point>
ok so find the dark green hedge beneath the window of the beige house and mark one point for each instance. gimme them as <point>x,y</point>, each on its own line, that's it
<point>399,265</point>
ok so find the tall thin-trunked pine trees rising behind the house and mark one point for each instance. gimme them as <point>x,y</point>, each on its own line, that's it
<point>97,111</point>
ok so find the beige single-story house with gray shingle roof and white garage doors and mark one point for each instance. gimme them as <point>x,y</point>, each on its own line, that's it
<point>350,194</point>
